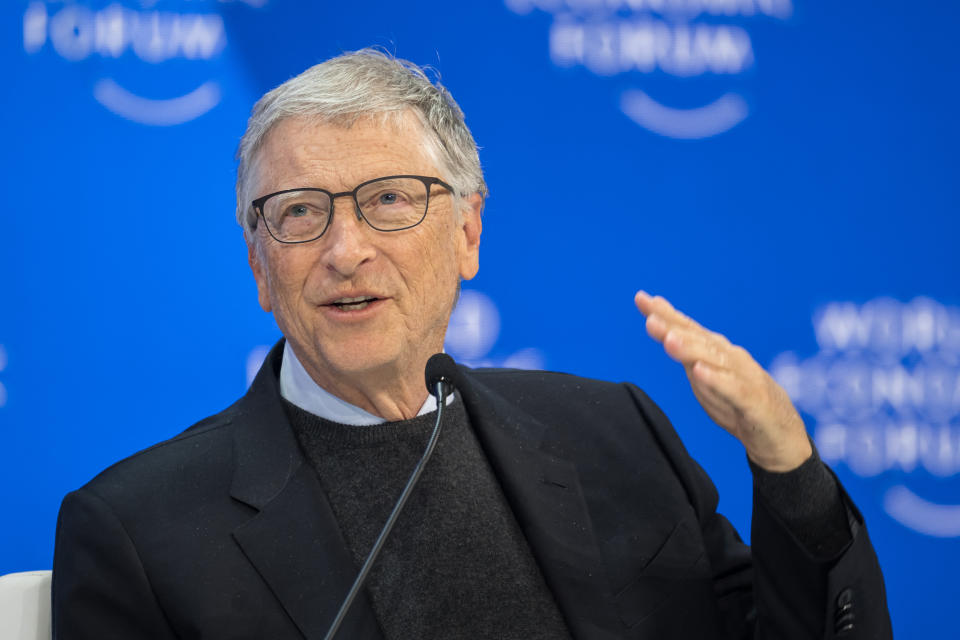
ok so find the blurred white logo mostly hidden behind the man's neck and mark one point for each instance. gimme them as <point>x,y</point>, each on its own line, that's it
<point>471,336</point>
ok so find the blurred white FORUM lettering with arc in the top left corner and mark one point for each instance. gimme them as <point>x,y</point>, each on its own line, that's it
<point>76,32</point>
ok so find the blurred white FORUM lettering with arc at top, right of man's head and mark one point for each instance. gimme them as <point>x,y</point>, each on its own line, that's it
<point>681,38</point>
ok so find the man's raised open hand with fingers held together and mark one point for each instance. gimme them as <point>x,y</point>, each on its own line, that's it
<point>735,391</point>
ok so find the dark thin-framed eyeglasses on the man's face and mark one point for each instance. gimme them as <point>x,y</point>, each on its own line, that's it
<point>392,203</point>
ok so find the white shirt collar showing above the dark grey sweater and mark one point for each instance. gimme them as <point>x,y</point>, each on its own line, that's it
<point>297,387</point>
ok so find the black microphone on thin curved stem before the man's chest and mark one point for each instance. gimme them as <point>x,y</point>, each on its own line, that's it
<point>440,374</point>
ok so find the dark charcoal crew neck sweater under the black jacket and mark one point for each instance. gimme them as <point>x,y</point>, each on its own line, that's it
<point>457,564</point>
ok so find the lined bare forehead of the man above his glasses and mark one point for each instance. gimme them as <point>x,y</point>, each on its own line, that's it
<point>300,152</point>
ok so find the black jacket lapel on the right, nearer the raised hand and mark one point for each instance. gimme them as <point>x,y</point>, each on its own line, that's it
<point>544,492</point>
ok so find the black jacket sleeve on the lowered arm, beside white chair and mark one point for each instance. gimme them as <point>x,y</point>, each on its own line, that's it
<point>100,589</point>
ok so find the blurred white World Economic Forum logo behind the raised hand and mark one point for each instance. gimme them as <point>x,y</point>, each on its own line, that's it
<point>885,392</point>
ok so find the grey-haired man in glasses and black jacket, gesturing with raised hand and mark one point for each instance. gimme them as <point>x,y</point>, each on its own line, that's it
<point>554,506</point>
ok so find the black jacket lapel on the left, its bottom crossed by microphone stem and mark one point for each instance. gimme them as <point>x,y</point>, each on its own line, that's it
<point>293,540</point>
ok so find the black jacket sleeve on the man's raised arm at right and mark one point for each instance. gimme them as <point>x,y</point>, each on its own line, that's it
<point>776,590</point>
